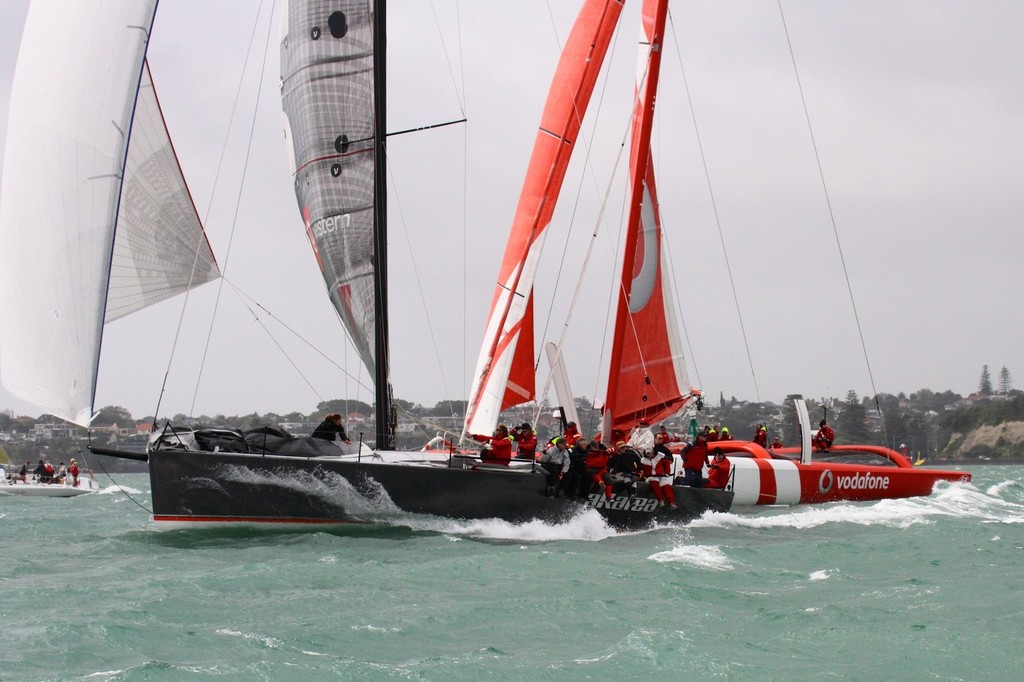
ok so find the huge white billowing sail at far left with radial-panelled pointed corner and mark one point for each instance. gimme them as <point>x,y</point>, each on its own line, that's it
<point>68,132</point>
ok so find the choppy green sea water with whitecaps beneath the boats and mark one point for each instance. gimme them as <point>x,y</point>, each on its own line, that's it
<point>921,589</point>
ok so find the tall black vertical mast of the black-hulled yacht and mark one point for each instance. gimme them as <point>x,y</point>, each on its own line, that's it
<point>382,382</point>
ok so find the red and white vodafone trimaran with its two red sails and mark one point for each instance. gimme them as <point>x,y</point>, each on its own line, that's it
<point>648,374</point>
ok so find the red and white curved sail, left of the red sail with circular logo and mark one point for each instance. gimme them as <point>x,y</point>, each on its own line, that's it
<point>505,373</point>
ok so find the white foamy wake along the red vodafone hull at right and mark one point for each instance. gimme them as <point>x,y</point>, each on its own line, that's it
<point>949,500</point>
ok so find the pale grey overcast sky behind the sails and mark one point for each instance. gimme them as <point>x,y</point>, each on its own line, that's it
<point>918,117</point>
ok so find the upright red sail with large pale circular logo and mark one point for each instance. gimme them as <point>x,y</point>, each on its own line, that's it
<point>648,372</point>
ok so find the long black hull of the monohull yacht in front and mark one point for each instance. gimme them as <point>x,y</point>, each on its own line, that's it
<point>194,487</point>
